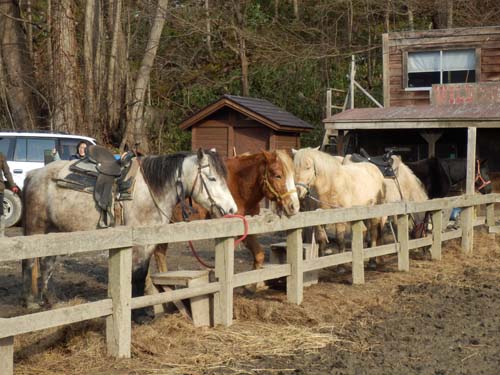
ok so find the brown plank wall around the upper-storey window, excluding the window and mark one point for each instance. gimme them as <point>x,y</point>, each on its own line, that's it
<point>485,40</point>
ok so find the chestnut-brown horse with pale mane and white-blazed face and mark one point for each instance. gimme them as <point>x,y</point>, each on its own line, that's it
<point>250,178</point>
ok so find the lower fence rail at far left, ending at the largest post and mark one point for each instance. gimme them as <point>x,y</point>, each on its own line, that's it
<point>54,318</point>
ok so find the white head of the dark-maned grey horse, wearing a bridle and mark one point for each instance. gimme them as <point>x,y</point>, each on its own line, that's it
<point>205,179</point>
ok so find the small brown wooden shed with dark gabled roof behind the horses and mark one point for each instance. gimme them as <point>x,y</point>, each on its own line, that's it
<point>243,124</point>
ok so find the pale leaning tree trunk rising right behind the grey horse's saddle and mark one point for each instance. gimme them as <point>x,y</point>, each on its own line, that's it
<point>136,131</point>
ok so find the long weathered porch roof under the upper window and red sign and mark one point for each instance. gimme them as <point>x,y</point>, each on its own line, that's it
<point>483,112</point>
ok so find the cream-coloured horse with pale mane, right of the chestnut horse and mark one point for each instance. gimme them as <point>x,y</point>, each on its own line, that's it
<point>337,185</point>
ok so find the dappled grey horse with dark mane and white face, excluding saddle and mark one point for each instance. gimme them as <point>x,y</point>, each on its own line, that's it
<point>50,208</point>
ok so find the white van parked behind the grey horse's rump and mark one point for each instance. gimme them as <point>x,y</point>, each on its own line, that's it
<point>26,151</point>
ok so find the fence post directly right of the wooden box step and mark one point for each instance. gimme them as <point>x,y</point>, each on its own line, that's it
<point>224,271</point>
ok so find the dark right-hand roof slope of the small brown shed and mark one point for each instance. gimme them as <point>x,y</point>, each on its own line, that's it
<point>270,111</point>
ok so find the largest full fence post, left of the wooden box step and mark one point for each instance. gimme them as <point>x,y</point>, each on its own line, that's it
<point>118,325</point>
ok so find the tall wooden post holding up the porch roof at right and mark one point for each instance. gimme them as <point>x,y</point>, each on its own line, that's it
<point>467,214</point>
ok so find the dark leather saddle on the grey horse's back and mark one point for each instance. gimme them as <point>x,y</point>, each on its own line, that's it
<point>105,177</point>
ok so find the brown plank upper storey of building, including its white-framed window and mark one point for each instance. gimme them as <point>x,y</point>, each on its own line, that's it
<point>415,60</point>
